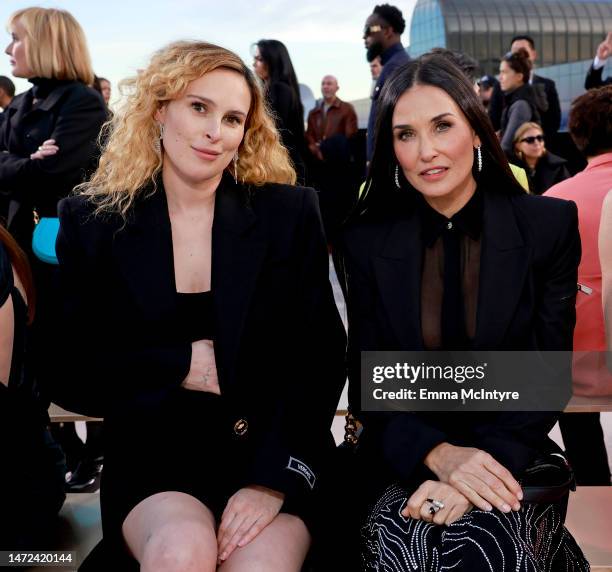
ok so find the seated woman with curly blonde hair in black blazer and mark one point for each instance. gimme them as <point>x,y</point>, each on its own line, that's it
<point>203,322</point>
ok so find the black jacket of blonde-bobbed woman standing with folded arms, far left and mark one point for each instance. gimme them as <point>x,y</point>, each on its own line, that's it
<point>72,114</point>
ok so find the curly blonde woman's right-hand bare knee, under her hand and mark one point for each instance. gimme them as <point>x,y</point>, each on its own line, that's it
<point>280,547</point>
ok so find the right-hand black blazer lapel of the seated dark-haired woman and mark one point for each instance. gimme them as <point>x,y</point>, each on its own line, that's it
<point>504,262</point>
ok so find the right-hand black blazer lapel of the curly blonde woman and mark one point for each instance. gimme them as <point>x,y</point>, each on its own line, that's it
<point>238,252</point>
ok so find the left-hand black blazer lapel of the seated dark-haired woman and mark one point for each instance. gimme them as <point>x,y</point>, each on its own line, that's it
<point>398,276</point>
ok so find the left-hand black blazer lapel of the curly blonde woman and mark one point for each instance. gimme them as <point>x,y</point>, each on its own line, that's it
<point>143,250</point>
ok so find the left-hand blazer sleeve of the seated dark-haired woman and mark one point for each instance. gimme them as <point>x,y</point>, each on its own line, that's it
<point>405,438</point>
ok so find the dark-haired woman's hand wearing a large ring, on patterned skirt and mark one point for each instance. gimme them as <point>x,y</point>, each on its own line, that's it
<point>455,504</point>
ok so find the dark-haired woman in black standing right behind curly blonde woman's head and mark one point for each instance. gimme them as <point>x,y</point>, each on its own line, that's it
<point>272,64</point>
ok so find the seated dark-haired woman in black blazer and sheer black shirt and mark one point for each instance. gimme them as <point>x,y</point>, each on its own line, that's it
<point>448,252</point>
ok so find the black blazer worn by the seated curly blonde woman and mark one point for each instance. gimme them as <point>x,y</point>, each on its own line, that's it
<point>279,341</point>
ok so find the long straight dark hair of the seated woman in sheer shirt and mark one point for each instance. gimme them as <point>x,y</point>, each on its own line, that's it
<point>380,193</point>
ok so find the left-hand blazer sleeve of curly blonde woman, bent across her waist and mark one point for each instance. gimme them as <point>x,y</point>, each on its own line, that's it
<point>97,368</point>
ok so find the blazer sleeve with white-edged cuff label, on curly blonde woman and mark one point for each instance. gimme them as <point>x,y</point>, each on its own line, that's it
<point>293,453</point>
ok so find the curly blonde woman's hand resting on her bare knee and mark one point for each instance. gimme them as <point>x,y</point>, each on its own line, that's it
<point>247,513</point>
